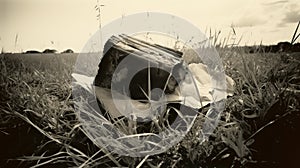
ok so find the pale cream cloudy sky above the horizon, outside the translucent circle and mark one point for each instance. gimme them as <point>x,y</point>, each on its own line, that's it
<point>63,24</point>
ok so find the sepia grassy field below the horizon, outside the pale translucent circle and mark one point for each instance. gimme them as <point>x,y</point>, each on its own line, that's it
<point>259,127</point>
